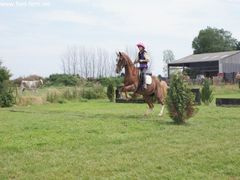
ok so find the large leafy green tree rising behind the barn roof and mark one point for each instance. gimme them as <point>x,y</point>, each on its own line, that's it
<point>214,40</point>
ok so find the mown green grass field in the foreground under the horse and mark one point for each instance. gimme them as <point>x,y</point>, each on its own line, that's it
<point>98,139</point>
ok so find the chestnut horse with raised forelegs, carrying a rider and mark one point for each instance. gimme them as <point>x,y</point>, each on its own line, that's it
<point>132,83</point>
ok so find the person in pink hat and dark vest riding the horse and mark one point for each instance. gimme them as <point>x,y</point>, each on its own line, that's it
<point>143,60</point>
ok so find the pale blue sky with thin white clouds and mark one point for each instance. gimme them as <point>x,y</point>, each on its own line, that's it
<point>35,33</point>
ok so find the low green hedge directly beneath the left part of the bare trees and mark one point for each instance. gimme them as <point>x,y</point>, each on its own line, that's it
<point>63,80</point>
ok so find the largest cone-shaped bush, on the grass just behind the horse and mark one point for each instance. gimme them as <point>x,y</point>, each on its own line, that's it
<point>180,100</point>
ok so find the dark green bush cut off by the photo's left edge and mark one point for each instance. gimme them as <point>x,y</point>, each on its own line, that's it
<point>7,98</point>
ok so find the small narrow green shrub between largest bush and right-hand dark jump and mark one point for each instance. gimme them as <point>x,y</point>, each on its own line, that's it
<point>206,92</point>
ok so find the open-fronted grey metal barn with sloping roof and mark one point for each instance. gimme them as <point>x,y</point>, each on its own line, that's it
<point>209,64</point>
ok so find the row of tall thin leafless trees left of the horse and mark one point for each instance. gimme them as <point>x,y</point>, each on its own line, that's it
<point>87,62</point>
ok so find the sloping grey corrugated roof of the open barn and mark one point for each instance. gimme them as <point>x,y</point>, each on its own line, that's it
<point>205,57</point>
